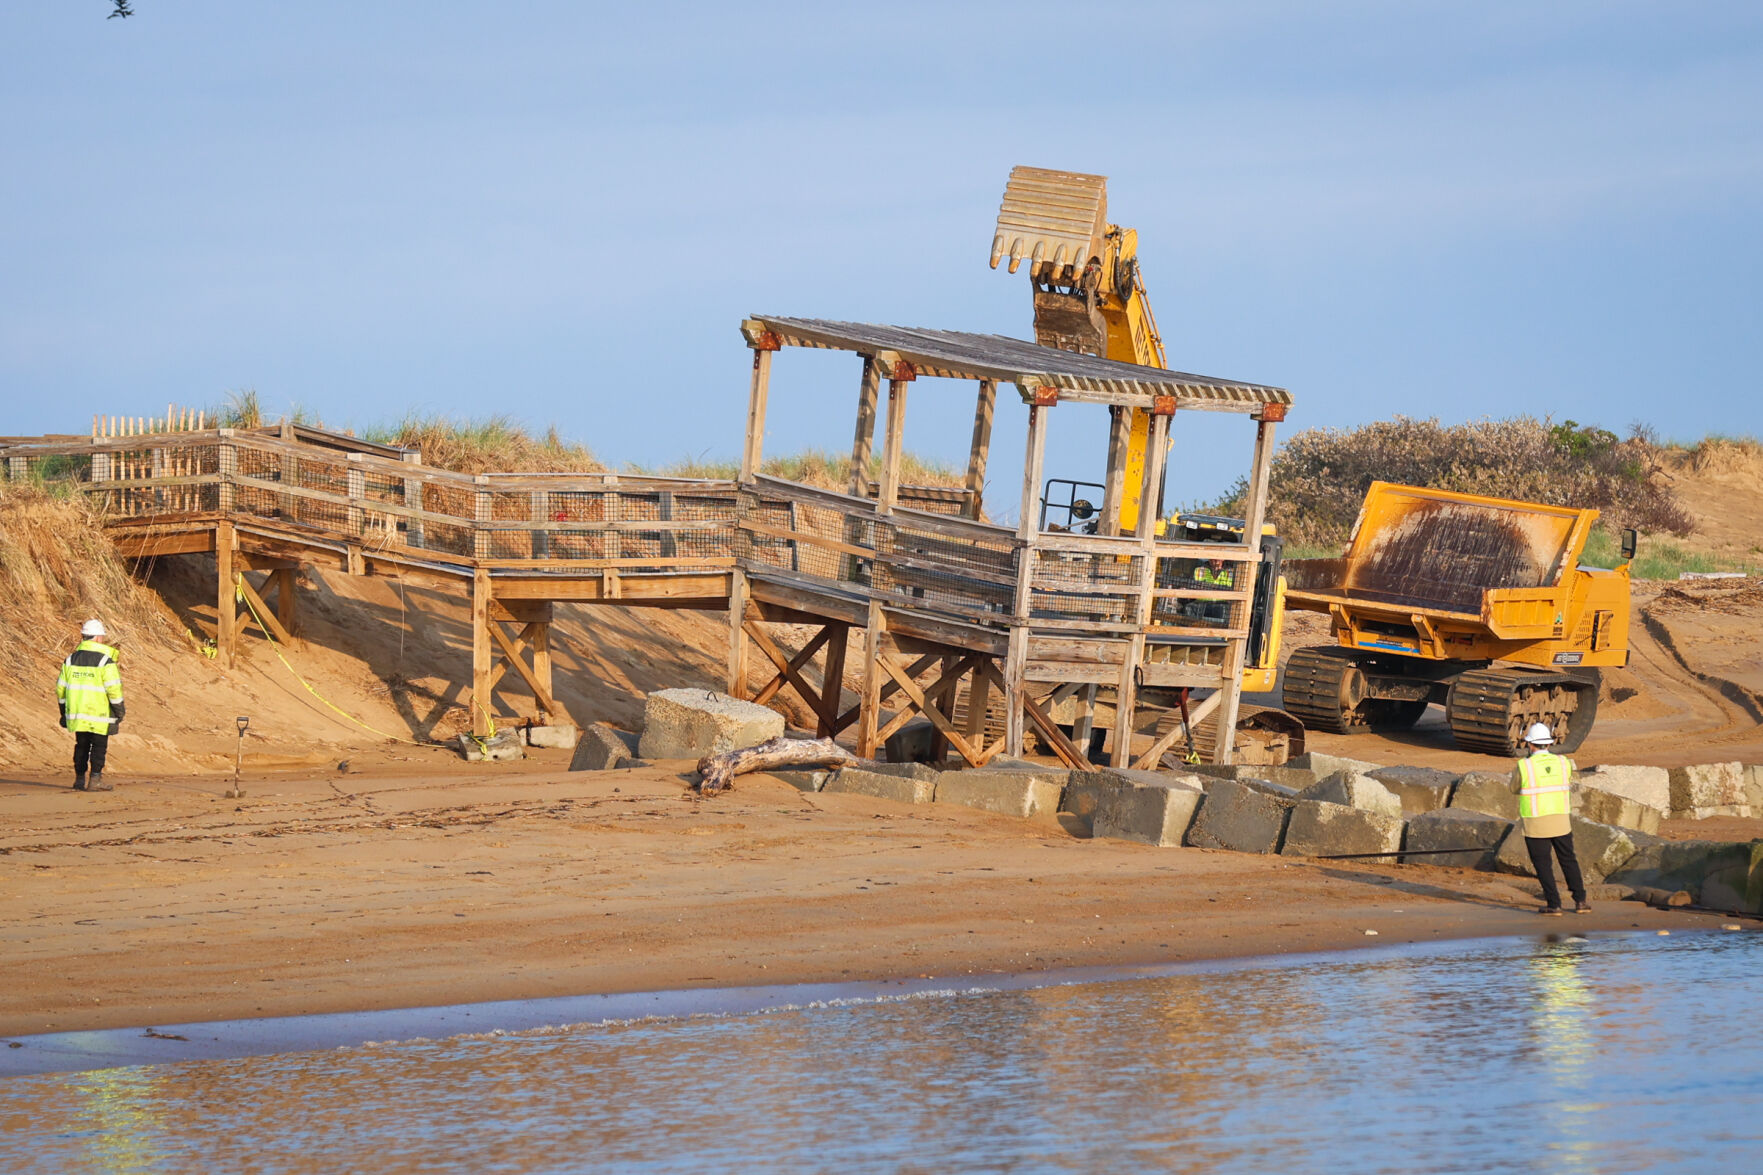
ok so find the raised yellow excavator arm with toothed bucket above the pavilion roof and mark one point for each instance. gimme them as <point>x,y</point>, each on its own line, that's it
<point>1087,287</point>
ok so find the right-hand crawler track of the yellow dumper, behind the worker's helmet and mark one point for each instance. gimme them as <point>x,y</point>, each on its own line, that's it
<point>1491,710</point>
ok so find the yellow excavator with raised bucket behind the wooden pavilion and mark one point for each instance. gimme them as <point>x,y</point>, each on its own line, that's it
<point>1090,297</point>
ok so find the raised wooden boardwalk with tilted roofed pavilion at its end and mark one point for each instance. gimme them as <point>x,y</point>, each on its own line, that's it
<point>967,624</point>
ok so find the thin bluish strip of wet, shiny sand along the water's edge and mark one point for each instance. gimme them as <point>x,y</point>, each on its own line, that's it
<point>230,1040</point>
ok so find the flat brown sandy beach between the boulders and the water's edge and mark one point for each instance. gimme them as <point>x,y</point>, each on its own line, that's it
<point>167,904</point>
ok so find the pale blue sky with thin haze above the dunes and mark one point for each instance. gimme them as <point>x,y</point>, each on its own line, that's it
<point>562,211</point>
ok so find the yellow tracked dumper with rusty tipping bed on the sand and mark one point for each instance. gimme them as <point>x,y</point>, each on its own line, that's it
<point>1477,604</point>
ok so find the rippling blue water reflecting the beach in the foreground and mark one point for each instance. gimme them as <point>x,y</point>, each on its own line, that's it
<point>1618,1054</point>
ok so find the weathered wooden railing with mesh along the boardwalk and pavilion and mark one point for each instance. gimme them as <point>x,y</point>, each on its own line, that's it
<point>934,564</point>
